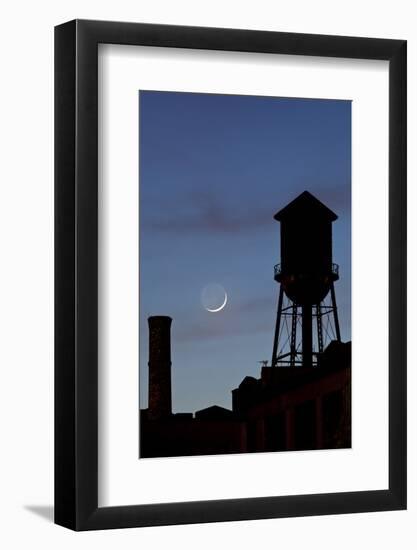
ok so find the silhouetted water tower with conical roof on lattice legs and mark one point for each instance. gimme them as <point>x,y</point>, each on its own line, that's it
<point>306,276</point>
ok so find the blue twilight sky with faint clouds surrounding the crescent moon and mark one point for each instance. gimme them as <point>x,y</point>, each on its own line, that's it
<point>214,169</point>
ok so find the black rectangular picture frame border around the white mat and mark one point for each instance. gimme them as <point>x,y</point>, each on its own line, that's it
<point>76,271</point>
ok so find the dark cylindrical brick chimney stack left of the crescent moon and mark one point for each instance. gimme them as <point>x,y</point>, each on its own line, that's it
<point>159,405</point>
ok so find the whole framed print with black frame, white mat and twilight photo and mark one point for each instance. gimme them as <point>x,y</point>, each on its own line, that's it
<point>230,275</point>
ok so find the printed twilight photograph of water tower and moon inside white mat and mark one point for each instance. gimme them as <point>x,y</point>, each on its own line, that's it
<point>244,274</point>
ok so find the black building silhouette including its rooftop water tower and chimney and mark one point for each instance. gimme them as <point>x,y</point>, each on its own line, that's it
<point>302,400</point>
